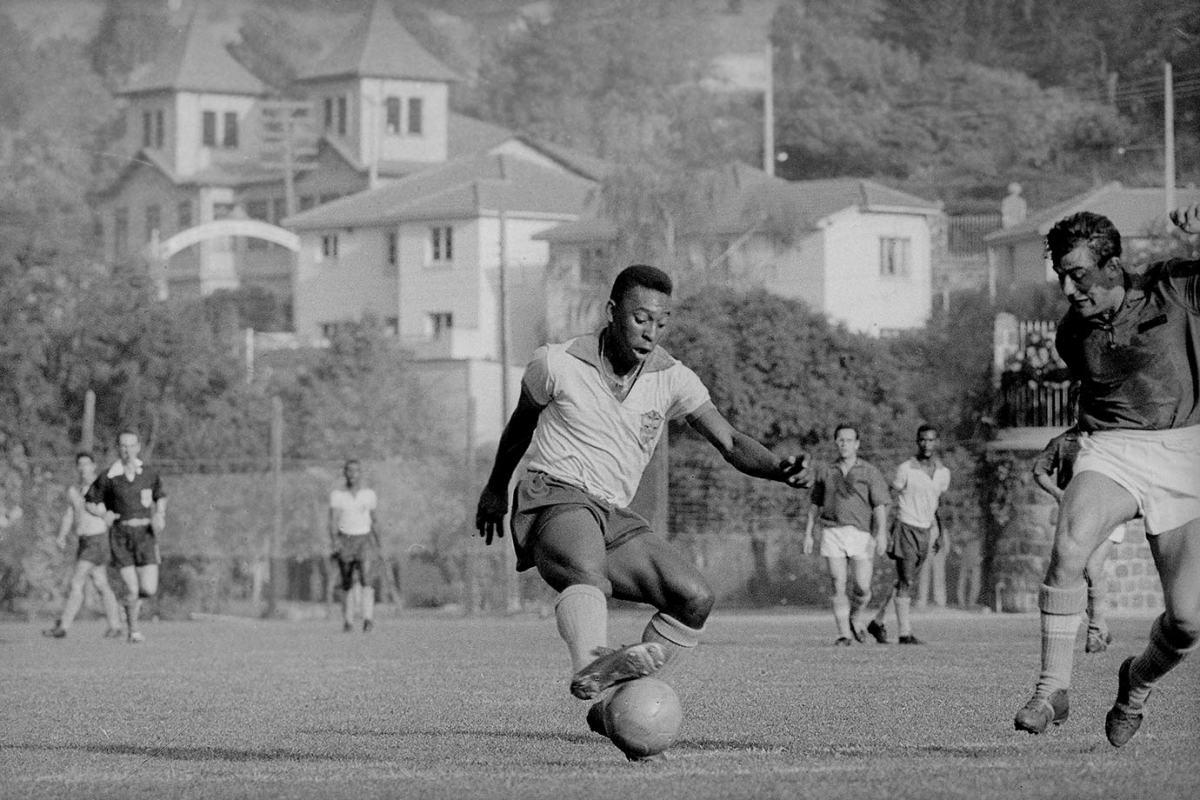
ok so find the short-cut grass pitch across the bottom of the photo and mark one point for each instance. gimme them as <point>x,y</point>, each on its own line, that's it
<point>441,707</point>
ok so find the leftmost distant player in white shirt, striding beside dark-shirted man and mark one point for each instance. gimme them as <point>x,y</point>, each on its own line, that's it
<point>93,554</point>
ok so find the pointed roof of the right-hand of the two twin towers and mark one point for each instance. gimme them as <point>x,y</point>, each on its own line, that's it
<point>380,47</point>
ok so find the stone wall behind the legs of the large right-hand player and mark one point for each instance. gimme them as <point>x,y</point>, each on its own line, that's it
<point>1021,533</point>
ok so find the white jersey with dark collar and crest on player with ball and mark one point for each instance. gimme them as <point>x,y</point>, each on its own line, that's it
<point>586,436</point>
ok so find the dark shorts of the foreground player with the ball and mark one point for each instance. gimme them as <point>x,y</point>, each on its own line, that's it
<point>539,498</point>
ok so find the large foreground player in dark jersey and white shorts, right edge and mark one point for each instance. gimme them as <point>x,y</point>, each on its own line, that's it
<point>1133,342</point>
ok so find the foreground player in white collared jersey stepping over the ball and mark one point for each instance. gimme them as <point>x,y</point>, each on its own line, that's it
<point>592,412</point>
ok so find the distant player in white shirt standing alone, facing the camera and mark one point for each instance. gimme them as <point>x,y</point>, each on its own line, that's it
<point>352,536</point>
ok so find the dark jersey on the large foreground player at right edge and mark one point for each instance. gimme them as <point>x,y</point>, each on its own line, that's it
<point>1141,370</point>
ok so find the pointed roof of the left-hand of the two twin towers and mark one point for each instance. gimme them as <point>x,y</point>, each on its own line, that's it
<point>194,61</point>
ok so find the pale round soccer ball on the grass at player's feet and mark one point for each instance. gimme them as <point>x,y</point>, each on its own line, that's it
<point>643,718</point>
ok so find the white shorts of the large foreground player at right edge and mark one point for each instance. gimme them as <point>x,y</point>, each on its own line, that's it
<point>1161,470</point>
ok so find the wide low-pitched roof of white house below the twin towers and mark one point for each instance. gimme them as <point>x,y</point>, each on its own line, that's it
<point>463,189</point>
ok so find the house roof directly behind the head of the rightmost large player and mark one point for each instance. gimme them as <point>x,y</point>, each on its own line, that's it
<point>1136,212</point>
